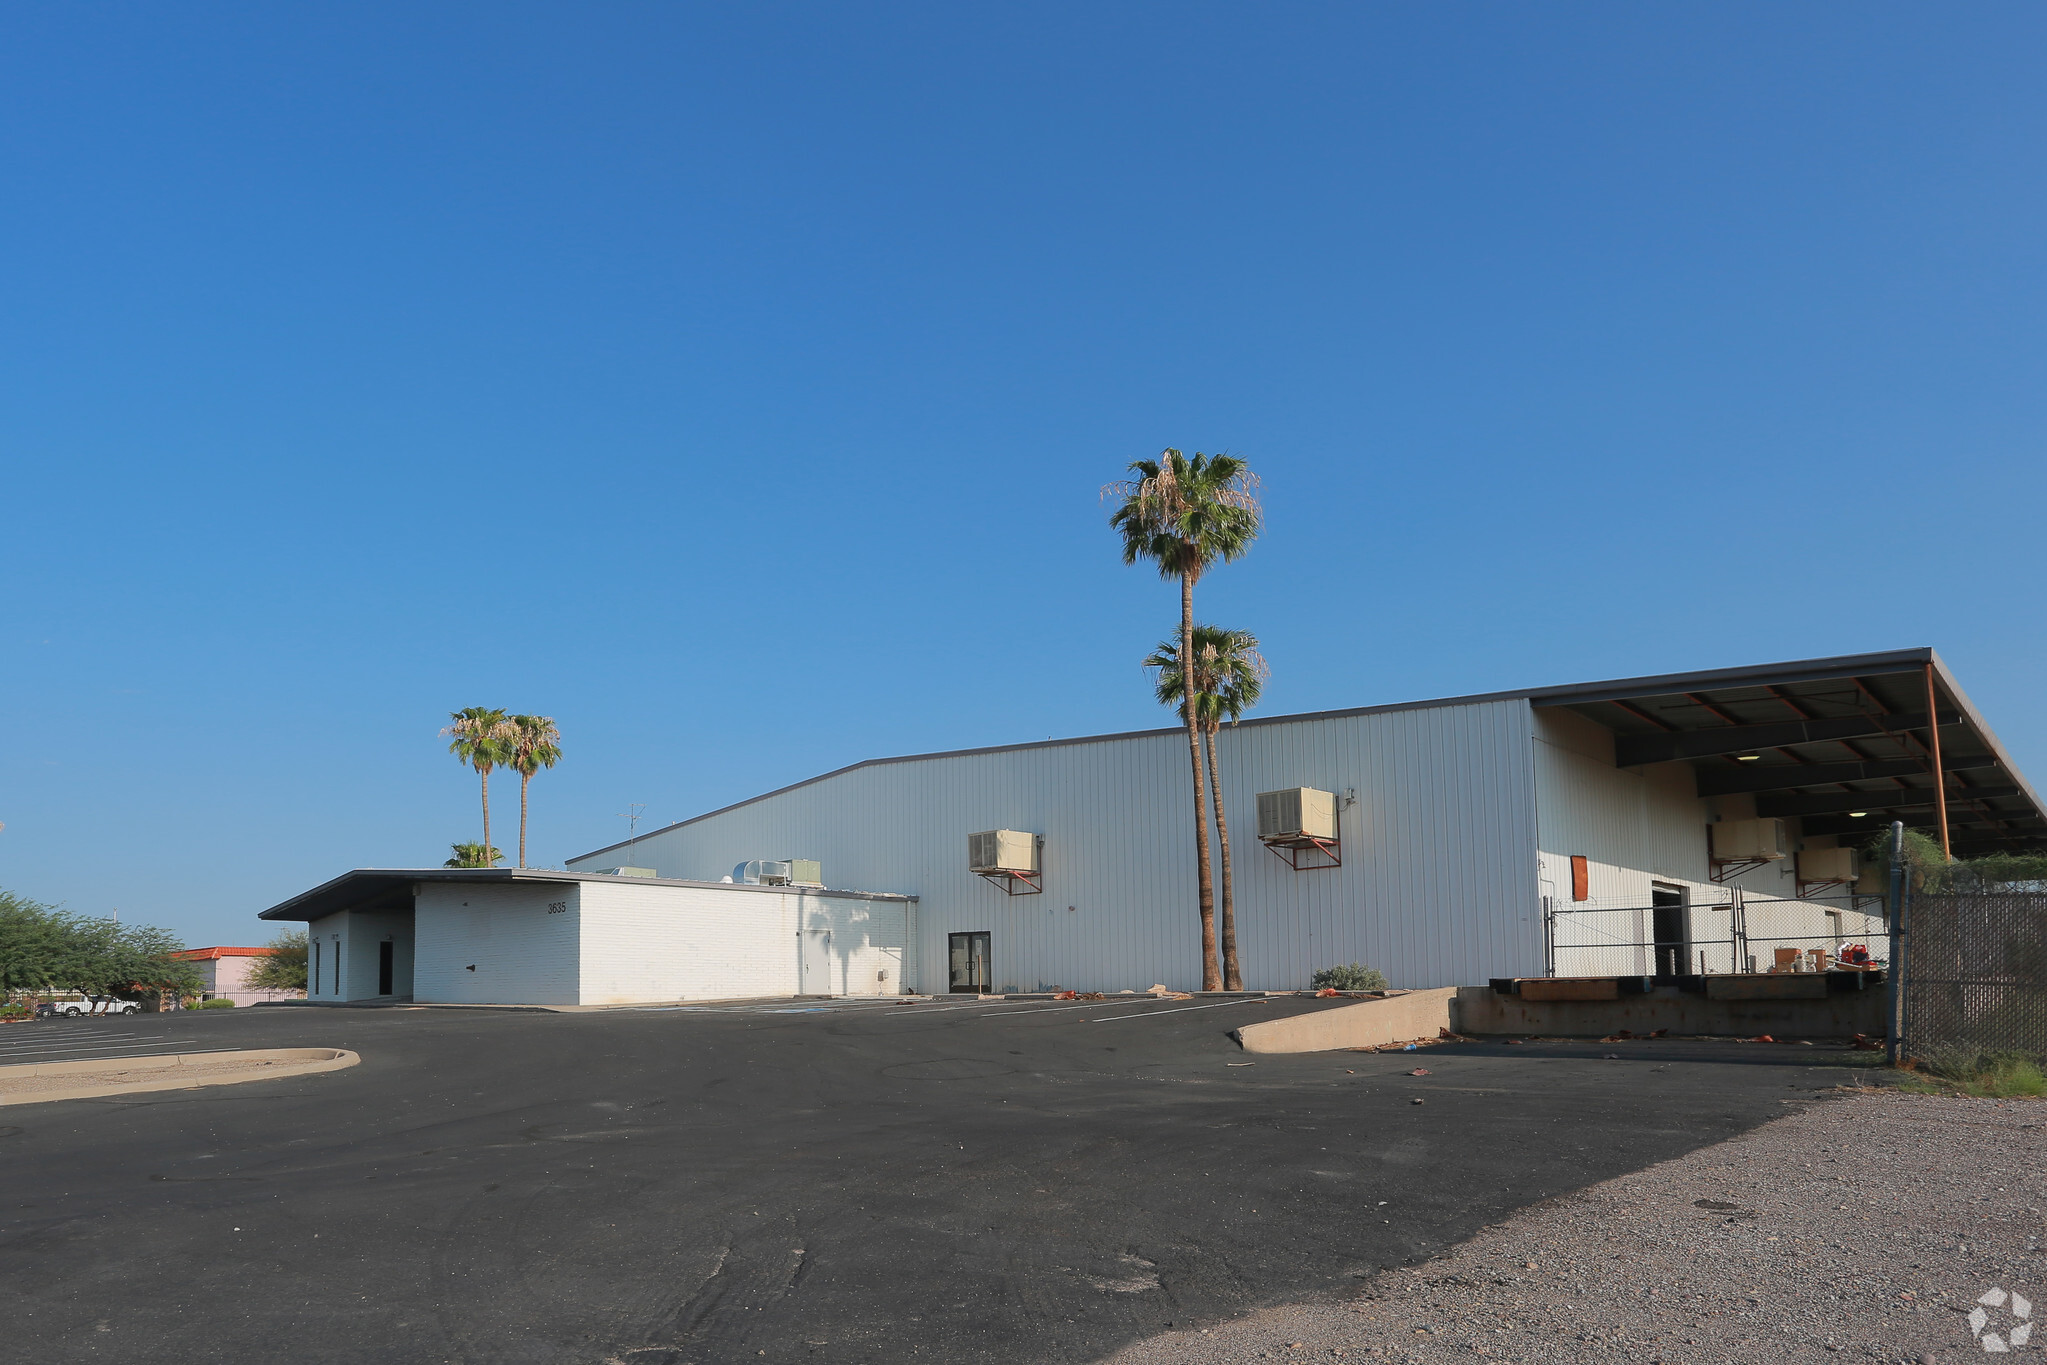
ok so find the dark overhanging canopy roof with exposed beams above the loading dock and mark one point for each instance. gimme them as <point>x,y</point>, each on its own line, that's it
<point>1847,746</point>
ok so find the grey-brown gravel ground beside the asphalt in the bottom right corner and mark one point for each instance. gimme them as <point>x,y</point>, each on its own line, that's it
<point>1864,1227</point>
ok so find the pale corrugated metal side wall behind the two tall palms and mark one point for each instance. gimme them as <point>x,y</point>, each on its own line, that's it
<point>1438,883</point>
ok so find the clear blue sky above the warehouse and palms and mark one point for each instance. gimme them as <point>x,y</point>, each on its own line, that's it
<point>734,384</point>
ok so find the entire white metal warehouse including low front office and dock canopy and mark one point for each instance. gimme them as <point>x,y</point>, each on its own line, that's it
<point>1442,842</point>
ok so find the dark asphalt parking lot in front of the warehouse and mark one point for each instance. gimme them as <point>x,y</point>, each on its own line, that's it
<point>996,1182</point>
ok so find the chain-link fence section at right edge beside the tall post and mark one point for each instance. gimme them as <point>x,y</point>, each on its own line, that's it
<point>1976,973</point>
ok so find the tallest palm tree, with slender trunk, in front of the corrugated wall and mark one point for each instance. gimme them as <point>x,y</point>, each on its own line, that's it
<point>1184,515</point>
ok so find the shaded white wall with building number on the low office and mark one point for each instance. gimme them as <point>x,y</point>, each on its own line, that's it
<point>521,938</point>
